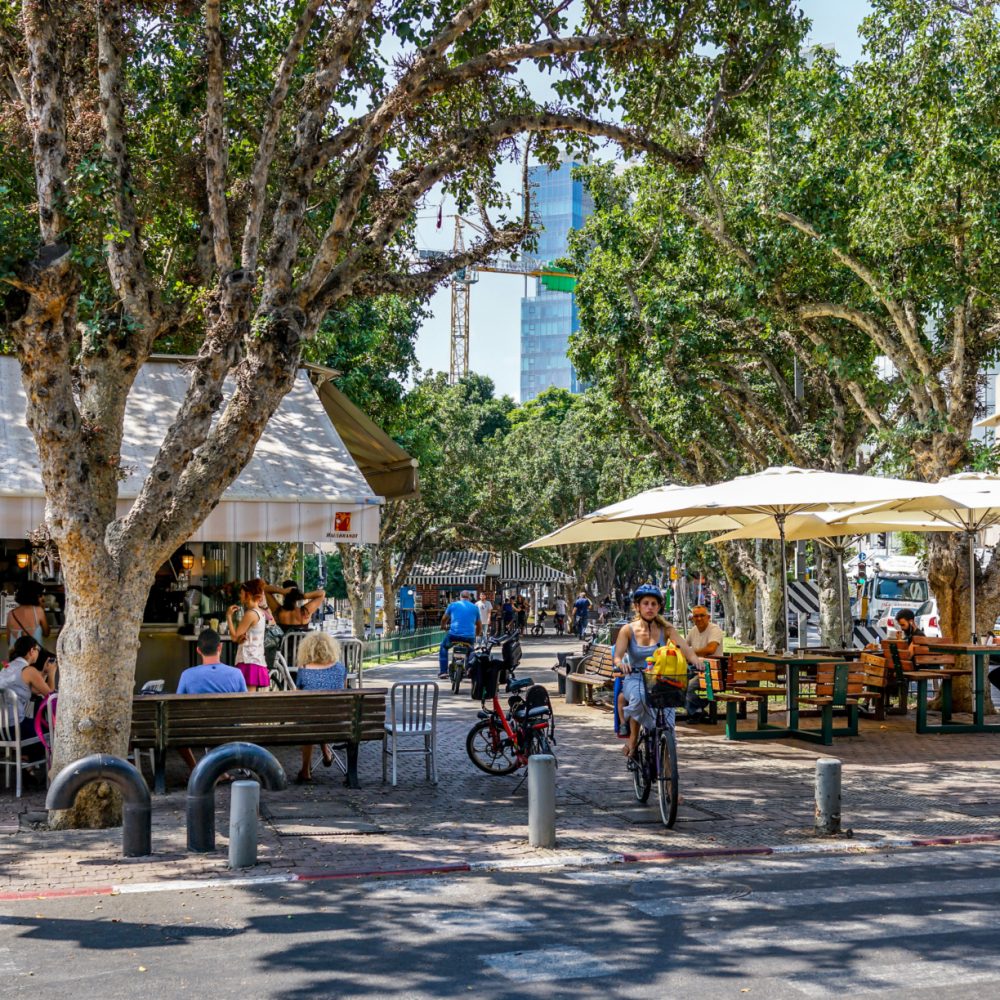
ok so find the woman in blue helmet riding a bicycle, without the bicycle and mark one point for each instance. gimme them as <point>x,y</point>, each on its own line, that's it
<point>640,638</point>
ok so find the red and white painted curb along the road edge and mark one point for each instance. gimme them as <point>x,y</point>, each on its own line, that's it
<point>557,862</point>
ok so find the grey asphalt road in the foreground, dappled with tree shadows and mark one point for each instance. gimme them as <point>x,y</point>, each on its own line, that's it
<point>914,924</point>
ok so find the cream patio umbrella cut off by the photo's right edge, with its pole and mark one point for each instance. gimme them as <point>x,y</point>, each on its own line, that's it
<point>966,502</point>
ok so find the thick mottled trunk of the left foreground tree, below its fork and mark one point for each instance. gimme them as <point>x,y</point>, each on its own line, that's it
<point>97,650</point>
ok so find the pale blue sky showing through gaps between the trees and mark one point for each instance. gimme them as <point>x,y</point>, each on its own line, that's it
<point>495,301</point>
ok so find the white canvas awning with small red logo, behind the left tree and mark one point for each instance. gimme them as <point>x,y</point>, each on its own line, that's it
<point>301,485</point>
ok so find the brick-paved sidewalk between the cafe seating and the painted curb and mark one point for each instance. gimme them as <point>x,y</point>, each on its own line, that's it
<point>896,785</point>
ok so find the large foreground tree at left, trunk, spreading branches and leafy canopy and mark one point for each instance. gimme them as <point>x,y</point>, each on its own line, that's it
<point>294,199</point>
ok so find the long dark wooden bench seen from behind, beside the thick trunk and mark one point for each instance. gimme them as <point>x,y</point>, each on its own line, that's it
<point>284,718</point>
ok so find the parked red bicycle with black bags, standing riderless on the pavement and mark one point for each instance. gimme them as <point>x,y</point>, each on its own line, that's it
<point>503,739</point>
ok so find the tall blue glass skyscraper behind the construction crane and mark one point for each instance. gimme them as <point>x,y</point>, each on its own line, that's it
<point>548,318</point>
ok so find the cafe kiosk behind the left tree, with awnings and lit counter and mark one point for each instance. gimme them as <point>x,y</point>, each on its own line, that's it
<point>319,474</point>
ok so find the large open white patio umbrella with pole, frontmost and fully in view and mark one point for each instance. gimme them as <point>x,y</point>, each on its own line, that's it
<point>777,493</point>
